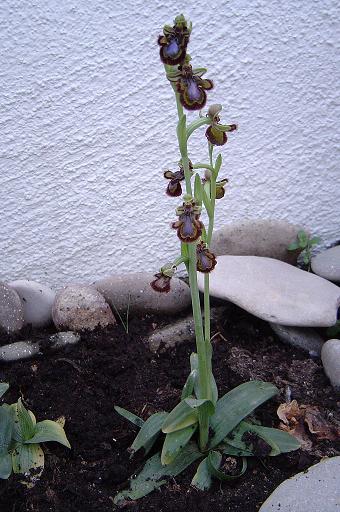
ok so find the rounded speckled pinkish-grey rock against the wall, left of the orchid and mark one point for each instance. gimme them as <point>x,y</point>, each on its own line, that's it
<point>78,307</point>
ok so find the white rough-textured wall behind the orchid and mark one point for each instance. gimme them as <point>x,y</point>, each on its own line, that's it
<point>87,125</point>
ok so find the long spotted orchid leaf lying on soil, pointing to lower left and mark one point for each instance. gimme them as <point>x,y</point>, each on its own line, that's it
<point>153,474</point>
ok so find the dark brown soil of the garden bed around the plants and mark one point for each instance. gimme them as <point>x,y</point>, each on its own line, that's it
<point>110,367</point>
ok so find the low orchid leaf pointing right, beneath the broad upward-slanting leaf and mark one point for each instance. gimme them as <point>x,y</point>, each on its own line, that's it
<point>278,440</point>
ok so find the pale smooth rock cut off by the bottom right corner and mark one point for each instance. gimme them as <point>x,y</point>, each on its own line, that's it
<point>315,490</point>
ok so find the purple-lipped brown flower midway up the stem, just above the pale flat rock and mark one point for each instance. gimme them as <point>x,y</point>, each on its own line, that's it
<point>189,227</point>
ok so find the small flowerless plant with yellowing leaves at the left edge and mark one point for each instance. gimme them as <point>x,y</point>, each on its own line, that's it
<point>20,438</point>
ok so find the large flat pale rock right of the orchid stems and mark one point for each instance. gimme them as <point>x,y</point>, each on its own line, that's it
<point>274,291</point>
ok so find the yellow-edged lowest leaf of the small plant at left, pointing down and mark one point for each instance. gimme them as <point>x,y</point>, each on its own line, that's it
<point>27,458</point>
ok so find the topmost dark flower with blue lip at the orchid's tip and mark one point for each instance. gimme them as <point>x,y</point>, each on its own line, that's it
<point>174,42</point>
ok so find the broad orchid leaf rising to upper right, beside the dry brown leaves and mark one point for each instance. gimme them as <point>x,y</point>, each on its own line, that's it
<point>237,405</point>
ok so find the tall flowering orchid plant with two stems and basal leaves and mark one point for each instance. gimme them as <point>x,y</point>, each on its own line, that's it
<point>201,426</point>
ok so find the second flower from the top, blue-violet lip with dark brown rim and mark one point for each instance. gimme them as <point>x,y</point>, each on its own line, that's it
<point>191,87</point>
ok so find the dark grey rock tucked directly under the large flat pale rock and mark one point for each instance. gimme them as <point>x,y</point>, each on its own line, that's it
<point>305,338</point>
